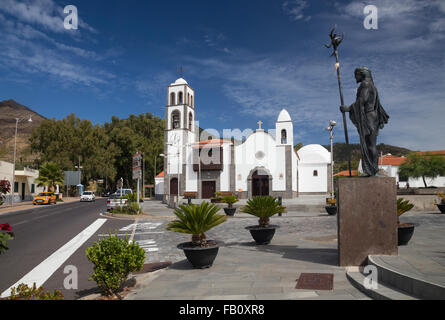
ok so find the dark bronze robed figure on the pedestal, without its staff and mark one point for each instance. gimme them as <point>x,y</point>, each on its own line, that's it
<point>368,115</point>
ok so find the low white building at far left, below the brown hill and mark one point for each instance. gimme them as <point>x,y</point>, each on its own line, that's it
<point>24,188</point>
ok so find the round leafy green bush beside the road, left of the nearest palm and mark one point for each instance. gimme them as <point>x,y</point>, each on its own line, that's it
<point>114,259</point>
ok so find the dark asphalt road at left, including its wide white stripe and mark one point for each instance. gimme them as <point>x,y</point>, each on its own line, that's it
<point>52,236</point>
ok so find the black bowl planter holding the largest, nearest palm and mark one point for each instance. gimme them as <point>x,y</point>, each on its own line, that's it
<point>200,258</point>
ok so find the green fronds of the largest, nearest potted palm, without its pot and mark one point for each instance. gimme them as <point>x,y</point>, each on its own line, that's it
<point>195,220</point>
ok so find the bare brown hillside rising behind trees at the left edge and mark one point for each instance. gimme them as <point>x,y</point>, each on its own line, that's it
<point>9,111</point>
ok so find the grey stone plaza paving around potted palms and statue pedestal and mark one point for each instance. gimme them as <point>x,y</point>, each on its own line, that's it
<point>305,243</point>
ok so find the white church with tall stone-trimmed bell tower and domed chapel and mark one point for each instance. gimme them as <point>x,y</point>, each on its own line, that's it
<point>260,164</point>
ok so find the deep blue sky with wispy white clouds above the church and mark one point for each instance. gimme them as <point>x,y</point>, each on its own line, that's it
<point>246,60</point>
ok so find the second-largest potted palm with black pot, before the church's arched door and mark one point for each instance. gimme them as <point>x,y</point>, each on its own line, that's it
<point>264,208</point>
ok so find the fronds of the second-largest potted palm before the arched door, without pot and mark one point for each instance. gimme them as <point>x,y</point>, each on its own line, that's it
<point>263,208</point>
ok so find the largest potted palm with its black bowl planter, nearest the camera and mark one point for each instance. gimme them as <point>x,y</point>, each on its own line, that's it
<point>196,220</point>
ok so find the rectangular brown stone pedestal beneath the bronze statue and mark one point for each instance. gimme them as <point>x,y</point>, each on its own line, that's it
<point>367,219</point>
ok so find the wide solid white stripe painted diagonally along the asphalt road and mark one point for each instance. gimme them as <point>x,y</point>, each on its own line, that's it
<point>45,269</point>
